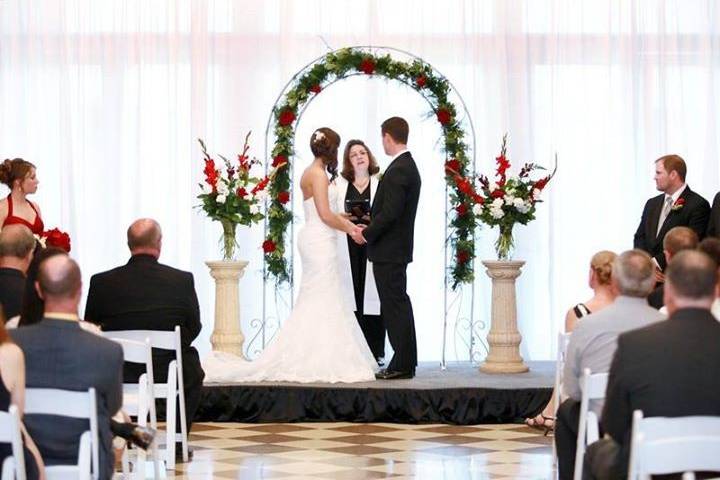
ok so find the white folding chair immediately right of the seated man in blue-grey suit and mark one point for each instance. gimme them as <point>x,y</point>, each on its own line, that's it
<point>138,401</point>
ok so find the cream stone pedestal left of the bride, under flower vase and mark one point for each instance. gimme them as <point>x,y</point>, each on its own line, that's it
<point>227,335</point>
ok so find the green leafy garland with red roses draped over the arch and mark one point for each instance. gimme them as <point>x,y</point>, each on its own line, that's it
<point>419,76</point>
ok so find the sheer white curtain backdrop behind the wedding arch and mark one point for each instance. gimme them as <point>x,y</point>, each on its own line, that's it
<point>108,97</point>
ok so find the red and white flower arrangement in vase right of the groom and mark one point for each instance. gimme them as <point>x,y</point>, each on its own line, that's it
<point>505,201</point>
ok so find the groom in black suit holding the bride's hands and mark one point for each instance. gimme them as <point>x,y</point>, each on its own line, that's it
<point>390,244</point>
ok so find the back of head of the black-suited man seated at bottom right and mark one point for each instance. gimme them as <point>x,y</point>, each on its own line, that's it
<point>692,275</point>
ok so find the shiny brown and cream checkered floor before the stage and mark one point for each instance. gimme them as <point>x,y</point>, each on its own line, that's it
<point>366,451</point>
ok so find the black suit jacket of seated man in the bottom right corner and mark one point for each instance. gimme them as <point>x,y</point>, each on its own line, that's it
<point>668,369</point>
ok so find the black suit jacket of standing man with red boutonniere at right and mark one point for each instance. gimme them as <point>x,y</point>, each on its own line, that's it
<point>694,214</point>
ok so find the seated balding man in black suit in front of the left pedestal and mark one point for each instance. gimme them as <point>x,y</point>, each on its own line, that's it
<point>147,295</point>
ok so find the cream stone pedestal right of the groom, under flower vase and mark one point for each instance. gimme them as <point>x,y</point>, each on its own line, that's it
<point>504,338</point>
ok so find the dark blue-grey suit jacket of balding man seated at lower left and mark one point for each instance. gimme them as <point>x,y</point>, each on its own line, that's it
<point>60,354</point>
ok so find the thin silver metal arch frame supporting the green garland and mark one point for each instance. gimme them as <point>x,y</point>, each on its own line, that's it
<point>262,323</point>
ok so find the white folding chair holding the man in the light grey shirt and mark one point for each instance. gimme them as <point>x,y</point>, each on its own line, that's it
<point>593,387</point>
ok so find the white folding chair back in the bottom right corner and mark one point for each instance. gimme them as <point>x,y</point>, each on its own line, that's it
<point>662,445</point>
